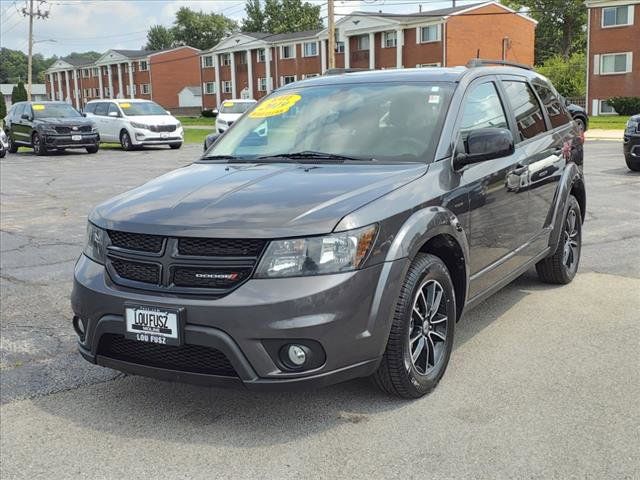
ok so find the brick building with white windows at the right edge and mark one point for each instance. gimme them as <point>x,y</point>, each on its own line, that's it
<point>613,52</point>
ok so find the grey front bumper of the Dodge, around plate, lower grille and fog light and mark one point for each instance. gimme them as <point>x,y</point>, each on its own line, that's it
<point>348,314</point>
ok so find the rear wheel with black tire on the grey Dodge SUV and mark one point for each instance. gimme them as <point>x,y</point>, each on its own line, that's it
<point>561,267</point>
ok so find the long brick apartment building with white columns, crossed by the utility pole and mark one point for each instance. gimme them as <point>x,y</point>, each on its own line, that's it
<point>252,64</point>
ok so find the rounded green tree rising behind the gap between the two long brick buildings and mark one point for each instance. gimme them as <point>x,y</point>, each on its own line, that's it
<point>199,29</point>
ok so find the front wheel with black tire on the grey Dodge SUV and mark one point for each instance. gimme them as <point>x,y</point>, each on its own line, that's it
<point>398,374</point>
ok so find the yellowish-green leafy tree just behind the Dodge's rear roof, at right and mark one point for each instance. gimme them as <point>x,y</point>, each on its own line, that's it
<point>568,76</point>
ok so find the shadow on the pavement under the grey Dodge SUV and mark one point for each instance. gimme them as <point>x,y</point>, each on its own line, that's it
<point>143,408</point>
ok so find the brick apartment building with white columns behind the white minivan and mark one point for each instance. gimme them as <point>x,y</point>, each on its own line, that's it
<point>158,76</point>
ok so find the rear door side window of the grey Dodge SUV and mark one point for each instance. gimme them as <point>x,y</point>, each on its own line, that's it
<point>526,108</point>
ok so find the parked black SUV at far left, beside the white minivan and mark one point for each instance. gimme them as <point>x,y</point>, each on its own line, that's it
<point>48,126</point>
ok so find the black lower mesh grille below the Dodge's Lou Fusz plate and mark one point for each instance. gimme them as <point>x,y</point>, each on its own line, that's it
<point>185,358</point>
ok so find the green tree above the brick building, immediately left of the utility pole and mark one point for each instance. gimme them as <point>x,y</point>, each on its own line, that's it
<point>283,16</point>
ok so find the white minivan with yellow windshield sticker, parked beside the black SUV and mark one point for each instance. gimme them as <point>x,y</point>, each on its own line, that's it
<point>134,123</point>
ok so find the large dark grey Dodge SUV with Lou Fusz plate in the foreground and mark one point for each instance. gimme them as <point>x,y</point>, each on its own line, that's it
<point>339,229</point>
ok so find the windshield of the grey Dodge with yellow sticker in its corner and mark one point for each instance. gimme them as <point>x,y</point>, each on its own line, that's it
<point>382,121</point>
